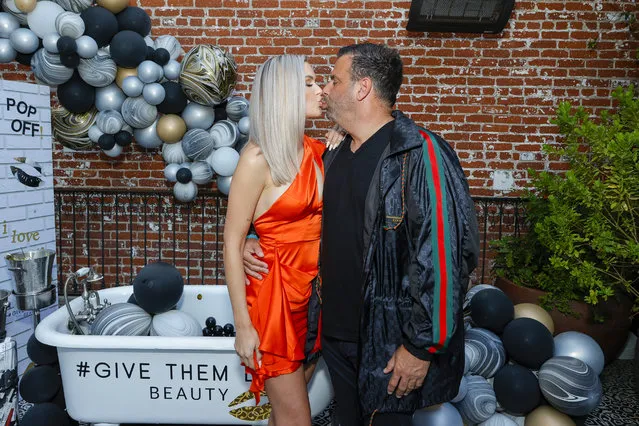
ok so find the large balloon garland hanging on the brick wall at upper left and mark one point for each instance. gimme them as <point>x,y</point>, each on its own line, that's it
<point>116,84</point>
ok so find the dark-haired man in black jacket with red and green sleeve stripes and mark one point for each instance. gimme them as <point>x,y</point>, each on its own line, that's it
<point>399,240</point>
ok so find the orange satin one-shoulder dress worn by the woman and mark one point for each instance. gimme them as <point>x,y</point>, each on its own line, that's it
<point>289,234</point>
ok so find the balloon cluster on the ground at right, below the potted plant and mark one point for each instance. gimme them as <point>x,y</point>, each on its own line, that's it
<point>513,364</point>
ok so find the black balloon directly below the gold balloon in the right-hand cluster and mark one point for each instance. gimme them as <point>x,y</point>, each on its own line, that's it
<point>528,342</point>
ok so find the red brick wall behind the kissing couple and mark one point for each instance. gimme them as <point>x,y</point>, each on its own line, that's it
<point>490,95</point>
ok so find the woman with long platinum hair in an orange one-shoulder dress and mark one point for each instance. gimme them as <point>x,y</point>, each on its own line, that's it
<point>277,187</point>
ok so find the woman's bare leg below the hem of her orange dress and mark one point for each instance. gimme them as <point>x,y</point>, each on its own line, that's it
<point>289,398</point>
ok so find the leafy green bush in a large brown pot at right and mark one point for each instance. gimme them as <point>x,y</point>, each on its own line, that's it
<point>580,256</point>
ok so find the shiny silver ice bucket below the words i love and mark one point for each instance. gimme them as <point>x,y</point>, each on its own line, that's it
<point>31,270</point>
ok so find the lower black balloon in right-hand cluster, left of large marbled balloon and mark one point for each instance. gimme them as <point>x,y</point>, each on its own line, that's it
<point>517,389</point>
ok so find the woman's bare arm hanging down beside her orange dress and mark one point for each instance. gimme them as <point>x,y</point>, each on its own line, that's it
<point>247,186</point>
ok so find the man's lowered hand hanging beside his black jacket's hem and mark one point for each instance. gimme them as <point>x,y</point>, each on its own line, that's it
<point>408,371</point>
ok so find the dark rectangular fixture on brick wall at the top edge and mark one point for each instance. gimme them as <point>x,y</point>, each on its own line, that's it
<point>462,16</point>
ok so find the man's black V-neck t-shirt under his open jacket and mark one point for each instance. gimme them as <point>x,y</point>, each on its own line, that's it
<point>345,189</point>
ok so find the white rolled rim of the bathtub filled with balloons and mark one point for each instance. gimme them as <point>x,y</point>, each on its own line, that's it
<point>47,330</point>
